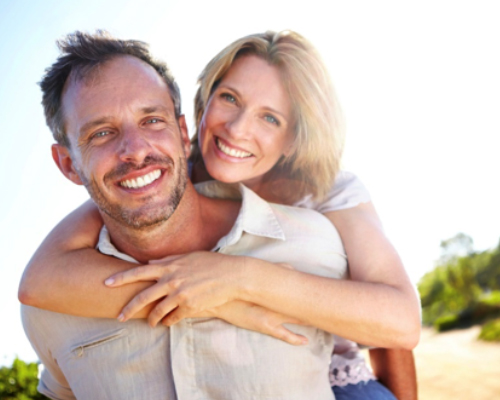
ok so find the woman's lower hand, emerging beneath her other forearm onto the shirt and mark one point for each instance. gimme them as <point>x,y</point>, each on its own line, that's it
<point>255,318</point>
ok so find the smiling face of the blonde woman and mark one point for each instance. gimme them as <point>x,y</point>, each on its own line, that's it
<point>247,123</point>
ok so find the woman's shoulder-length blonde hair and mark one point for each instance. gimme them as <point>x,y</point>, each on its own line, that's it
<point>318,132</point>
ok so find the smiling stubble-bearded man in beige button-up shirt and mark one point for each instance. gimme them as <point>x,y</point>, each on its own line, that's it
<point>116,116</point>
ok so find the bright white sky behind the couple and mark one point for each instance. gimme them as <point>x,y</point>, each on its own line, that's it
<point>419,83</point>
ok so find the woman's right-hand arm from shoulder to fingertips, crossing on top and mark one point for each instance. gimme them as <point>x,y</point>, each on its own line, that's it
<point>379,307</point>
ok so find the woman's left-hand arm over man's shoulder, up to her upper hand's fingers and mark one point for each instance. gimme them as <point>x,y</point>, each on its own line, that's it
<point>66,273</point>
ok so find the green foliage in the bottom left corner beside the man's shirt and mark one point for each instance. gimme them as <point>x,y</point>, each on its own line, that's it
<point>19,382</point>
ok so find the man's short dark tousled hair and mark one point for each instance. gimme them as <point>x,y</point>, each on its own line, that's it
<point>80,54</point>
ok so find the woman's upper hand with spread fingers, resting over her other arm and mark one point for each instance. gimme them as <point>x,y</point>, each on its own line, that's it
<point>186,285</point>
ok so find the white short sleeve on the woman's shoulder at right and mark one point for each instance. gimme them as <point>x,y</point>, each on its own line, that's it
<point>347,192</point>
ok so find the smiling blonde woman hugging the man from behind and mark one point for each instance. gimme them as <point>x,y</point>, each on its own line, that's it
<point>264,107</point>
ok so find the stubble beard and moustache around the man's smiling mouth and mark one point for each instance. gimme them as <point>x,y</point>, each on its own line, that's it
<point>143,218</point>
